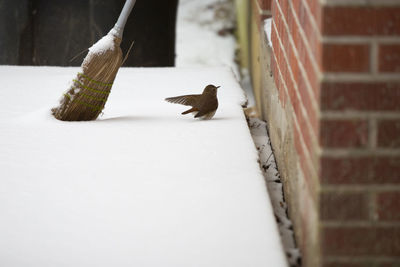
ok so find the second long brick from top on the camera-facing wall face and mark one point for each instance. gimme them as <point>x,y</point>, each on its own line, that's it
<point>360,96</point>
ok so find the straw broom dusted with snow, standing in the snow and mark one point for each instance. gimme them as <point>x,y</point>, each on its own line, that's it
<point>89,91</point>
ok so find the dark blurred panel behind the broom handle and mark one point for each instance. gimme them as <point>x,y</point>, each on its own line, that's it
<point>41,32</point>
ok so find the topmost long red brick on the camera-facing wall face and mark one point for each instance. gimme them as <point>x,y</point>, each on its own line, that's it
<point>366,20</point>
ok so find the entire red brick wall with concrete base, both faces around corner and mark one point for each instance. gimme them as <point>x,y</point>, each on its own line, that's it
<point>333,110</point>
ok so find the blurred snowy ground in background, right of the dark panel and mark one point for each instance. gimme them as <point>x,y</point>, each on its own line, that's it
<point>200,34</point>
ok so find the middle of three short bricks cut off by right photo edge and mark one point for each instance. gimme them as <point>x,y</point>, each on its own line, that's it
<point>389,133</point>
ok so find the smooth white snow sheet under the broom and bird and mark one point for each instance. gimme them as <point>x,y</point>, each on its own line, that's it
<point>141,186</point>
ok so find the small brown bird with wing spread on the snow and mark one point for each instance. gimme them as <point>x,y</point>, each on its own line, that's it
<point>204,105</point>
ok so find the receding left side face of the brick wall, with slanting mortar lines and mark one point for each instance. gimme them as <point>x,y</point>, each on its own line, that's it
<point>296,53</point>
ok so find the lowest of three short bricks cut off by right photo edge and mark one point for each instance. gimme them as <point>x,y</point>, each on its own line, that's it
<point>388,206</point>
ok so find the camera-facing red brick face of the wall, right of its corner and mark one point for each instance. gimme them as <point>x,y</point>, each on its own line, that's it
<point>360,117</point>
